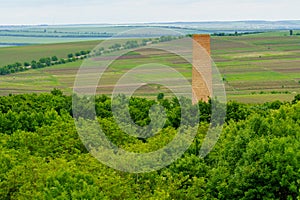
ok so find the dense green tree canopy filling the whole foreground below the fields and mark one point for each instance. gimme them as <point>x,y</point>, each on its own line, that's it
<point>42,157</point>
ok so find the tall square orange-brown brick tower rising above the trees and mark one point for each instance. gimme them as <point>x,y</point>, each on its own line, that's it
<point>202,71</point>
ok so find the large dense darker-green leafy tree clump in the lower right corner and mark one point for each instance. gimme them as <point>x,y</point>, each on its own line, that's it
<point>260,157</point>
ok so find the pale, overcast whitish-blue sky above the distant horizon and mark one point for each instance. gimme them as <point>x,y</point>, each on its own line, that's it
<point>141,11</point>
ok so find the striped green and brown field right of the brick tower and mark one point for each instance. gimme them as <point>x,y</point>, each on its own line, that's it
<point>263,62</point>
